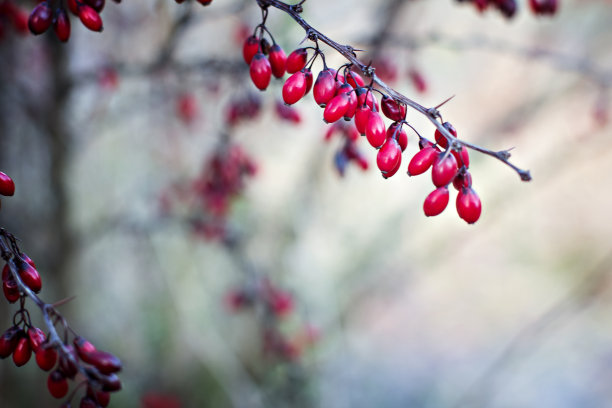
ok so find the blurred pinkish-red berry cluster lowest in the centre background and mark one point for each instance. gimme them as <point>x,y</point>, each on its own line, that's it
<point>276,304</point>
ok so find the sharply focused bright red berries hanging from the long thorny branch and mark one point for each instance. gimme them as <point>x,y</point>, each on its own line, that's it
<point>344,95</point>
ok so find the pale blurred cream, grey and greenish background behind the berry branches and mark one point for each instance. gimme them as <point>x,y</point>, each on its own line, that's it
<point>513,311</point>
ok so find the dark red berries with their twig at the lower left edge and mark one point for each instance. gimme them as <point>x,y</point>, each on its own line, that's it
<point>68,356</point>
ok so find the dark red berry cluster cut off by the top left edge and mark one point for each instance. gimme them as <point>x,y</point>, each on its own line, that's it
<point>47,13</point>
